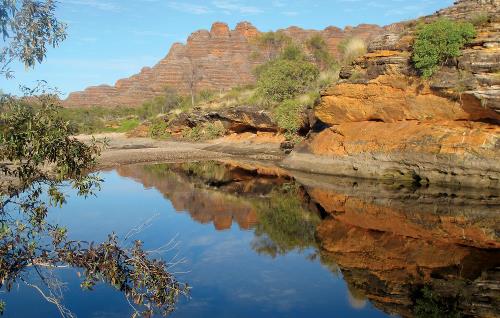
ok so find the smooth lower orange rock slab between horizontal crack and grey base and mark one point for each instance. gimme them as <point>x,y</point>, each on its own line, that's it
<point>444,138</point>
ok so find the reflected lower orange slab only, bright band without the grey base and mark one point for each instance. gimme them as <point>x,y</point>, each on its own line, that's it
<point>415,220</point>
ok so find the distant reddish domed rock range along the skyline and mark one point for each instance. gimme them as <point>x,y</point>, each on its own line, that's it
<point>224,57</point>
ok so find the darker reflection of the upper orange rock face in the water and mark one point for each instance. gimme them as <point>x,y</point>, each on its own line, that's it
<point>391,257</point>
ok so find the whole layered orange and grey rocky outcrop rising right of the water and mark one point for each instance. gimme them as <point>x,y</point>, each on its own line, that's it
<point>387,122</point>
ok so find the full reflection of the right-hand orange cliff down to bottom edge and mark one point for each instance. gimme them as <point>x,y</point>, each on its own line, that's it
<point>389,243</point>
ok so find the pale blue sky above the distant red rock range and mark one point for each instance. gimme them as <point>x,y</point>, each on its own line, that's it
<point>111,39</point>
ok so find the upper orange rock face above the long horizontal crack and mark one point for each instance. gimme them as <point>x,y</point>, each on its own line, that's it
<point>391,98</point>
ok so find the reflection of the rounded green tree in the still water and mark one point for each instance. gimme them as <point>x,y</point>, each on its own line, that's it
<point>284,224</point>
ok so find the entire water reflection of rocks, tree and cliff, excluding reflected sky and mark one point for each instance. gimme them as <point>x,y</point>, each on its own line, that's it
<point>414,252</point>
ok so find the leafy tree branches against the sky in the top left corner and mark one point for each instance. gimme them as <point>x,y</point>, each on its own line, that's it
<point>28,27</point>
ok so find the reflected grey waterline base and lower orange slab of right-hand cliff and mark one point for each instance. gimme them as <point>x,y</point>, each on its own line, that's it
<point>453,216</point>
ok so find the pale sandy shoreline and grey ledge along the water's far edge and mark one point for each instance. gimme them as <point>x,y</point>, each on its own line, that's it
<point>122,150</point>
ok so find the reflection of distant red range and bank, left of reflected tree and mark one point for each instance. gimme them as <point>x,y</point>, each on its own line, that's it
<point>208,192</point>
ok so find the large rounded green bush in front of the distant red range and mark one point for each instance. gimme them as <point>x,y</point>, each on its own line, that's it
<point>284,79</point>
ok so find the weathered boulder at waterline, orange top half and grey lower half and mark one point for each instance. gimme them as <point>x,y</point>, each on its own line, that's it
<point>462,153</point>
